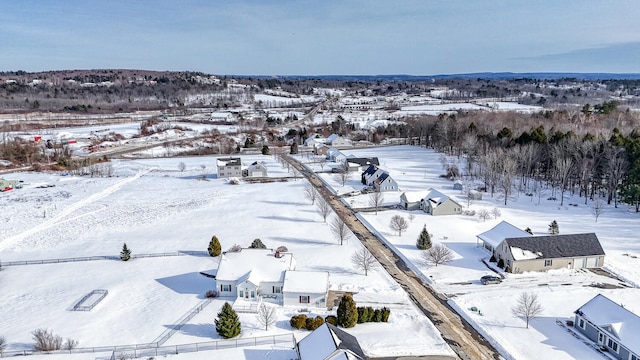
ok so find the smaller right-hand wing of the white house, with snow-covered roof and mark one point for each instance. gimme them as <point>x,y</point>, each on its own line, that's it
<point>305,288</point>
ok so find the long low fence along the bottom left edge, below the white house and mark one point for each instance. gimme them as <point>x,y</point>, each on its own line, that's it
<point>152,350</point>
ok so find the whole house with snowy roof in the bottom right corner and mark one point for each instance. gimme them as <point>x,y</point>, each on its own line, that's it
<point>611,326</point>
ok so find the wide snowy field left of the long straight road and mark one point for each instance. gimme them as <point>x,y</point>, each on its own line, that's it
<point>155,208</point>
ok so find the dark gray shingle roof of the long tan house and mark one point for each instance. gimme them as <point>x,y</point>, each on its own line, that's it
<point>559,246</point>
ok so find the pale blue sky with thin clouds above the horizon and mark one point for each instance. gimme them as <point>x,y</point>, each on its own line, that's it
<point>324,37</point>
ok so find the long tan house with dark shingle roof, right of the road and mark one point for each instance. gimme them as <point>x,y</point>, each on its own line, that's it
<point>541,253</point>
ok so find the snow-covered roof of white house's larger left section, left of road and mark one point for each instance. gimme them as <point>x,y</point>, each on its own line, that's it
<point>255,265</point>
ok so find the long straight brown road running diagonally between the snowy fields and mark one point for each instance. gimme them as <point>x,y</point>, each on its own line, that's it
<point>463,339</point>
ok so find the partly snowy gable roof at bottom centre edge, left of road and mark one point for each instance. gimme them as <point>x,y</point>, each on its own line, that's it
<point>329,342</point>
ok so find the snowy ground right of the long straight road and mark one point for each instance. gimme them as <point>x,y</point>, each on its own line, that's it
<point>561,291</point>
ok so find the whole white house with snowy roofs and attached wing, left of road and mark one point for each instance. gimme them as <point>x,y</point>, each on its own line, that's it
<point>252,274</point>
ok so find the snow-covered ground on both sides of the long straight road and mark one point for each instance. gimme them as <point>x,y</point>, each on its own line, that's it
<point>155,208</point>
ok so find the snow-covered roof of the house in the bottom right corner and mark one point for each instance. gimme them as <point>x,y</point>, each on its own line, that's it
<point>613,318</point>
